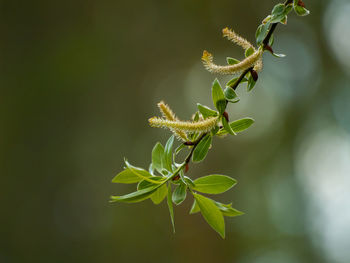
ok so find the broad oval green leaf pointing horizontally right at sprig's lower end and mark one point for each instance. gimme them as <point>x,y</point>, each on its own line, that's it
<point>214,184</point>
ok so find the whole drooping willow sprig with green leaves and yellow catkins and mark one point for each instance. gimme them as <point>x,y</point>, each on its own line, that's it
<point>166,178</point>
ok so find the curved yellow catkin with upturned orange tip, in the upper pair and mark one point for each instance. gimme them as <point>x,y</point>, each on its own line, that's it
<point>248,62</point>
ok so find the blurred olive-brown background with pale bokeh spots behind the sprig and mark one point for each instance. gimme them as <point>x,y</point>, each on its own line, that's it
<point>78,81</point>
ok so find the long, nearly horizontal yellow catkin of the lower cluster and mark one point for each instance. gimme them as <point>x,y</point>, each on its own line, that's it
<point>186,126</point>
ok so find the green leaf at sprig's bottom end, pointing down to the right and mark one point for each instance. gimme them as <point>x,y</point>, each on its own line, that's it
<point>211,214</point>
